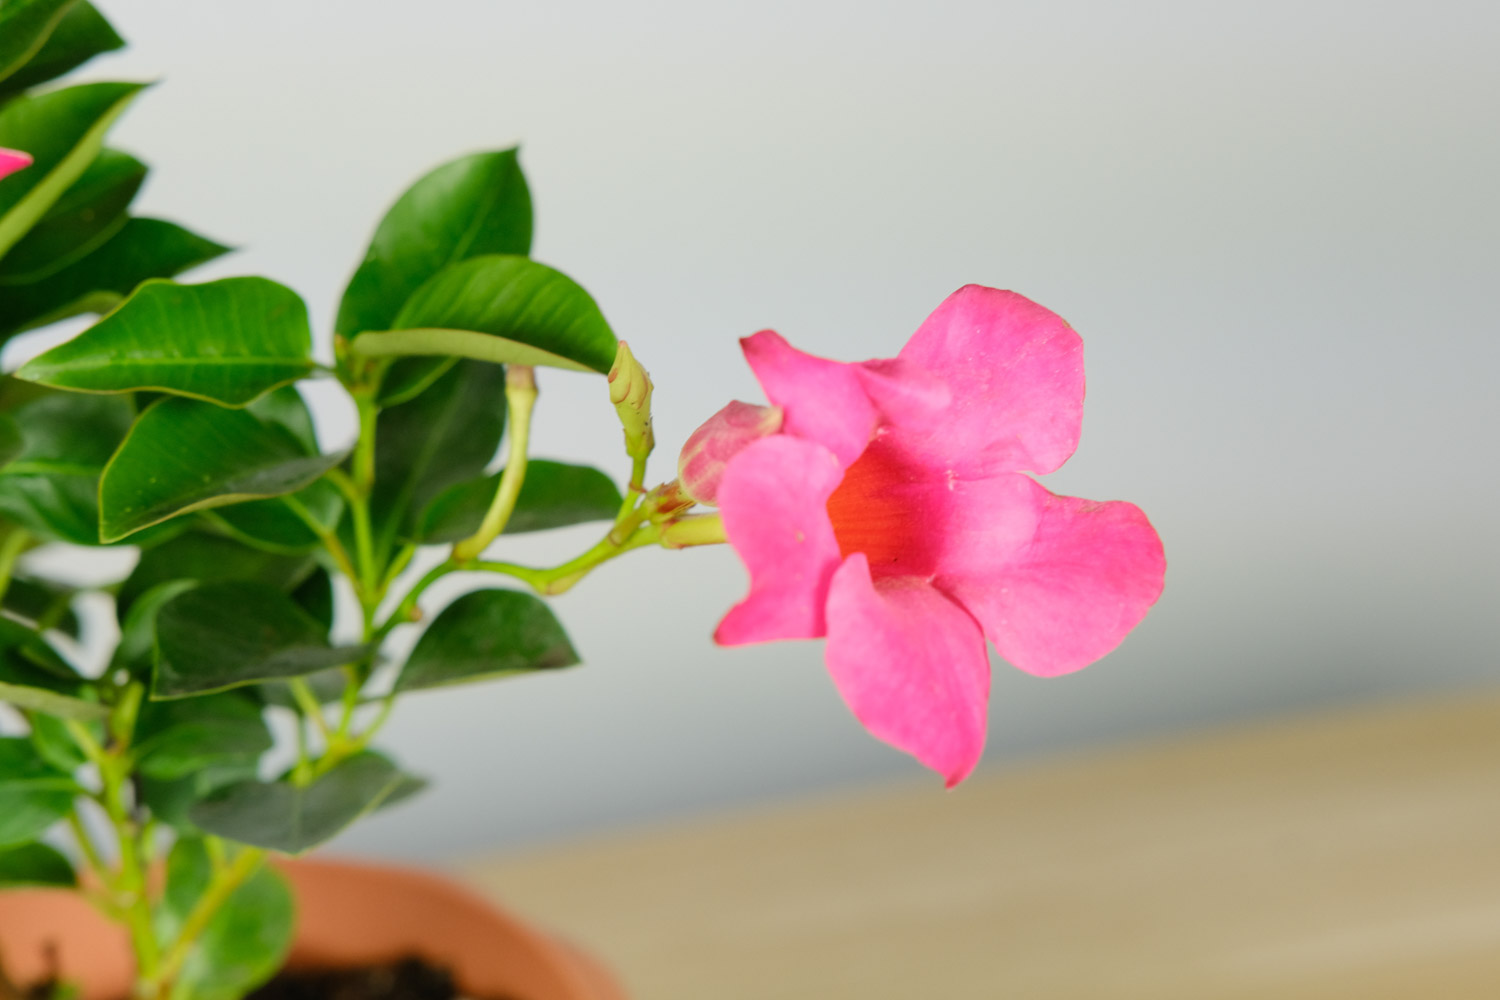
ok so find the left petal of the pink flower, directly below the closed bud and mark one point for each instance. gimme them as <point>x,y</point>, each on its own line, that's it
<point>775,506</point>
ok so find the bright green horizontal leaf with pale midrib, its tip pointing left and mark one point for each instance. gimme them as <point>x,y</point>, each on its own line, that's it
<point>226,343</point>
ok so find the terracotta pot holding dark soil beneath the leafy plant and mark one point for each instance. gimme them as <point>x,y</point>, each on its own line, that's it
<point>349,915</point>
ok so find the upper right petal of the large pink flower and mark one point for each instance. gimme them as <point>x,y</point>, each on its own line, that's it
<point>1016,376</point>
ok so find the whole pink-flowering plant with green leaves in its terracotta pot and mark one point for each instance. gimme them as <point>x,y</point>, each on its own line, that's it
<point>881,506</point>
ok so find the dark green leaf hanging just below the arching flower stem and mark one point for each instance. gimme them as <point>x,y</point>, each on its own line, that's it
<point>487,635</point>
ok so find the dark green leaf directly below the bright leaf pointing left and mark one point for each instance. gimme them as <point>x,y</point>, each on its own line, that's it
<point>184,455</point>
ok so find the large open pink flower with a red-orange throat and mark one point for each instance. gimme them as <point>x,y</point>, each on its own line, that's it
<point>893,516</point>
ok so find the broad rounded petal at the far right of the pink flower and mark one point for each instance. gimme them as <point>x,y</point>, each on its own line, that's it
<point>1070,594</point>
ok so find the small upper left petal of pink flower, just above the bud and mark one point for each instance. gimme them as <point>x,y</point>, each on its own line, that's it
<point>824,401</point>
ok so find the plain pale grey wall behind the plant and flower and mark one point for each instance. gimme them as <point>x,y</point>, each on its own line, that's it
<point>1276,226</point>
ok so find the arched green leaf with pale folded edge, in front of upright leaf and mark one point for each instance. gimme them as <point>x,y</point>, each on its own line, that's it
<point>503,310</point>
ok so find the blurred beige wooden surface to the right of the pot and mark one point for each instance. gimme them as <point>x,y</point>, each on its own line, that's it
<point>1348,855</point>
